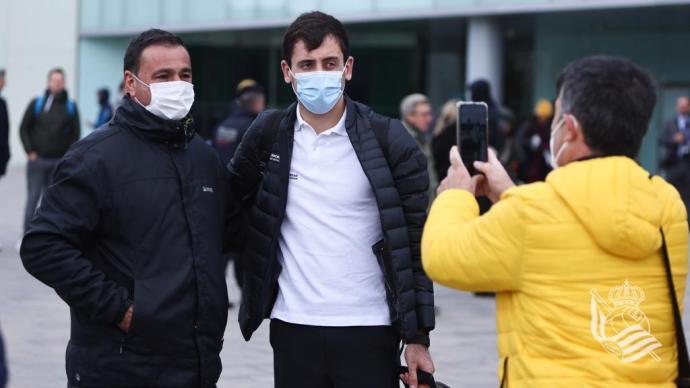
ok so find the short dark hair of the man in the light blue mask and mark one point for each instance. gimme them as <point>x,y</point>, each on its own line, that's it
<point>312,28</point>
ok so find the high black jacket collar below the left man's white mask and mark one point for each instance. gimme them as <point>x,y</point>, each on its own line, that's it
<point>175,133</point>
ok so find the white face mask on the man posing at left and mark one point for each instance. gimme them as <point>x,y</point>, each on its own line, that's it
<point>170,100</point>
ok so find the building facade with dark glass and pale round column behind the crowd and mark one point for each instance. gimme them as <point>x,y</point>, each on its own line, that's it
<point>400,46</point>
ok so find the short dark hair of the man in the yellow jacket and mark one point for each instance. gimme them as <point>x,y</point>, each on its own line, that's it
<point>613,100</point>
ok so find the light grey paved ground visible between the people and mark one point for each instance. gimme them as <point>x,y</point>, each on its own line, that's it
<point>35,324</point>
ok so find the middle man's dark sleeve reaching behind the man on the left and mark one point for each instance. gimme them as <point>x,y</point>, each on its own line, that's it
<point>247,165</point>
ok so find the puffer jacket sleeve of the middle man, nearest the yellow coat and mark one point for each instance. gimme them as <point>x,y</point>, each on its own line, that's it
<point>409,167</point>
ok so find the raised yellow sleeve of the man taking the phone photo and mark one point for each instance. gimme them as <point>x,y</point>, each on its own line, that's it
<point>462,250</point>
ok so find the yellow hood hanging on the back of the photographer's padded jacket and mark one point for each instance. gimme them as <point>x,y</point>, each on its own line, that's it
<point>616,201</point>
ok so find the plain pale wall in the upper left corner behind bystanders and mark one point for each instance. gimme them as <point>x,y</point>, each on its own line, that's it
<point>35,36</point>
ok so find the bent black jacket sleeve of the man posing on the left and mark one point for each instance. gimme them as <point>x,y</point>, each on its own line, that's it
<point>52,248</point>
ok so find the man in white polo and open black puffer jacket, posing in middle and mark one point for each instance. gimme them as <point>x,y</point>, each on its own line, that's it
<point>338,200</point>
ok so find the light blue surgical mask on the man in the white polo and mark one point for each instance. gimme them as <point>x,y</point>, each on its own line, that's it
<point>319,91</point>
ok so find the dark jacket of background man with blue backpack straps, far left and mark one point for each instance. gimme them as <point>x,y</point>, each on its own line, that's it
<point>51,133</point>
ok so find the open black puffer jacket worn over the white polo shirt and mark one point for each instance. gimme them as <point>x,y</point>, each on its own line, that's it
<point>398,175</point>
